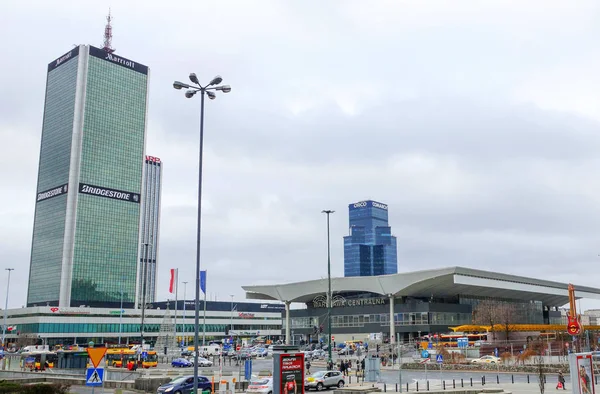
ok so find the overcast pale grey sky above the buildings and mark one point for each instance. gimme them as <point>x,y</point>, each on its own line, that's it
<point>478,122</point>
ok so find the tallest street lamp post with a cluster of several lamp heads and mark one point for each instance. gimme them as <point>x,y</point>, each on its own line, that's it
<point>207,90</point>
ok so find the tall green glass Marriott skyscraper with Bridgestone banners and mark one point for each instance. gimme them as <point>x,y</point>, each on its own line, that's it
<point>86,233</point>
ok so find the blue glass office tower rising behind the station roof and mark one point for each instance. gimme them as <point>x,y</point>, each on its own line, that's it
<point>370,249</point>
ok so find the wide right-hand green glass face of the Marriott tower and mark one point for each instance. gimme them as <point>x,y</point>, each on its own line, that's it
<point>107,237</point>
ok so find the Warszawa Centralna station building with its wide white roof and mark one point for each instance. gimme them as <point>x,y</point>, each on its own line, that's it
<point>407,305</point>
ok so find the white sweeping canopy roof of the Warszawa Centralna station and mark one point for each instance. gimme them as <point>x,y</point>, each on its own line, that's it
<point>443,282</point>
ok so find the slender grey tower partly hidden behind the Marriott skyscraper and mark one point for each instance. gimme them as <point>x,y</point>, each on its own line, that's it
<point>150,227</point>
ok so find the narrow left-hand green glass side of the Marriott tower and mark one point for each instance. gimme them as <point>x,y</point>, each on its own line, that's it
<point>53,172</point>
